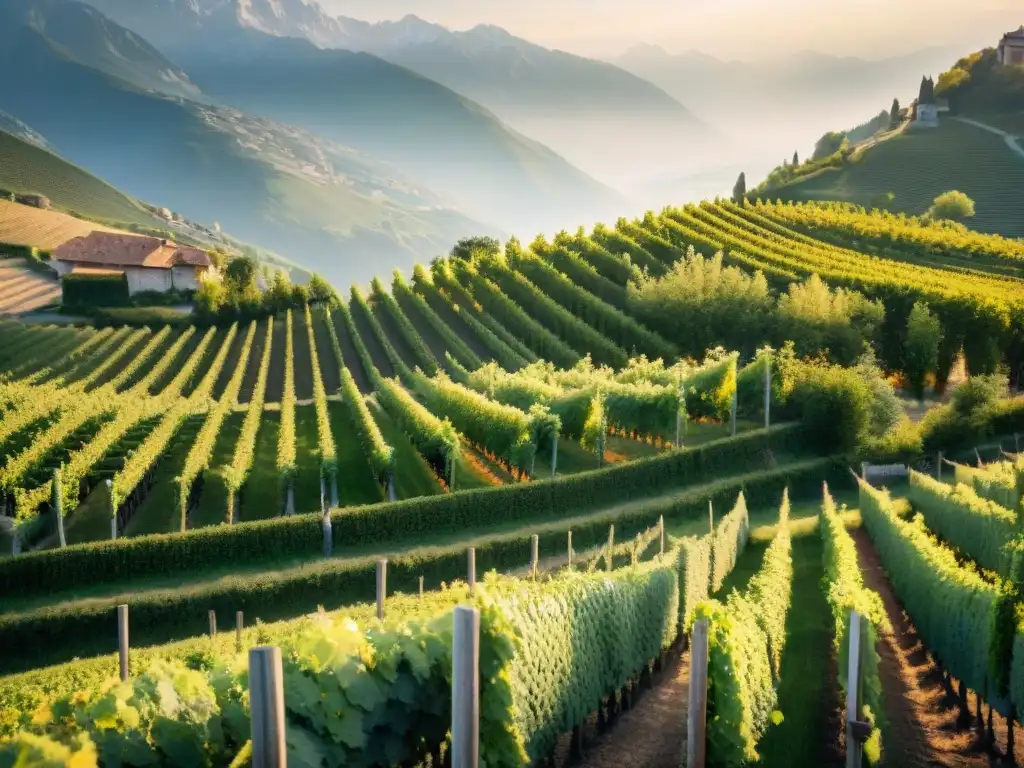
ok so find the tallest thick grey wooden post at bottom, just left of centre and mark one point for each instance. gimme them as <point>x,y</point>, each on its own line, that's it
<point>466,689</point>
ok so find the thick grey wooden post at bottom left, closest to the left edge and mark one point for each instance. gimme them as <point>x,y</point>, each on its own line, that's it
<point>267,701</point>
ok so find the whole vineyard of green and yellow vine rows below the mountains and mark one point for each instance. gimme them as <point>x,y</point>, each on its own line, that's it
<point>515,403</point>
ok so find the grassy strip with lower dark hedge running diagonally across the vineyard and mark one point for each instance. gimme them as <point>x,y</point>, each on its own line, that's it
<point>274,590</point>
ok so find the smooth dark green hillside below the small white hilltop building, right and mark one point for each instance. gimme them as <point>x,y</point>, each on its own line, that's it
<point>920,165</point>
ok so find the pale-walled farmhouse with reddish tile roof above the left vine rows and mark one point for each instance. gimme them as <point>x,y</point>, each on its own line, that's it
<point>149,264</point>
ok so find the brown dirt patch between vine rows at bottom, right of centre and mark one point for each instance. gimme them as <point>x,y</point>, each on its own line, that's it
<point>652,734</point>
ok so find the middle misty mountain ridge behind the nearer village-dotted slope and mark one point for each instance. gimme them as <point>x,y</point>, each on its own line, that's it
<point>614,125</point>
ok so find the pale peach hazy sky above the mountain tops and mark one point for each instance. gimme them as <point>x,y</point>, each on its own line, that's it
<point>737,29</point>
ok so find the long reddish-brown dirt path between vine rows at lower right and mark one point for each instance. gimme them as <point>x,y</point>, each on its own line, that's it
<point>921,727</point>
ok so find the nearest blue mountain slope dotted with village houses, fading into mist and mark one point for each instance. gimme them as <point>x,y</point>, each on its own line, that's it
<point>106,99</point>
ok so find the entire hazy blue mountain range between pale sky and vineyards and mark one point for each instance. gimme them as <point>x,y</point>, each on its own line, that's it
<point>353,147</point>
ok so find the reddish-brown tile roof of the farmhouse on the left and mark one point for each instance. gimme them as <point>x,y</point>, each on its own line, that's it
<point>113,249</point>
